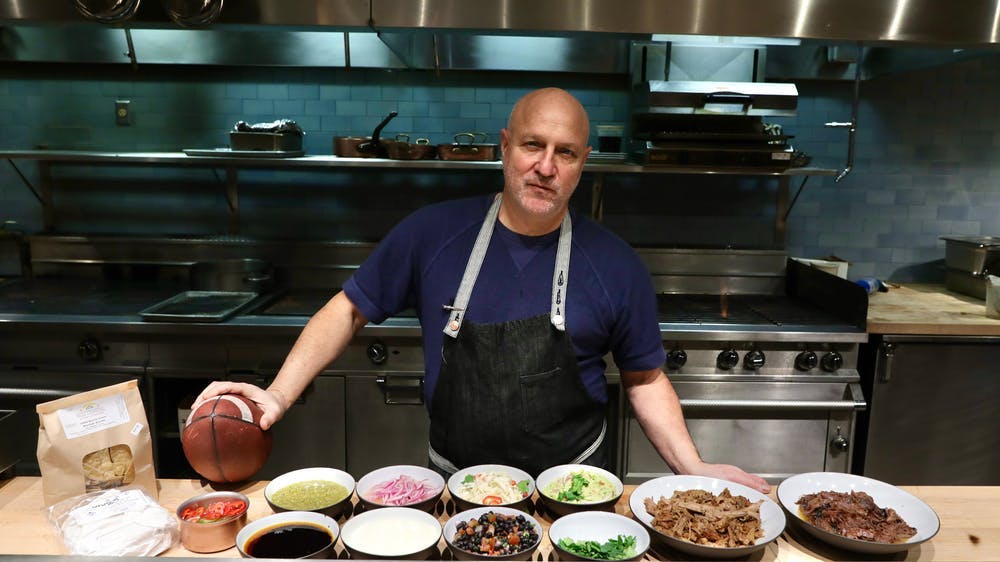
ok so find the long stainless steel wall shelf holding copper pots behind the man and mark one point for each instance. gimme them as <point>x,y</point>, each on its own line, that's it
<point>598,165</point>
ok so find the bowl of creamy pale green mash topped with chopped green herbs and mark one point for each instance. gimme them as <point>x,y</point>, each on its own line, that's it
<point>570,488</point>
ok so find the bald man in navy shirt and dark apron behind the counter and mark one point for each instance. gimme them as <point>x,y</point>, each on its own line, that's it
<point>514,338</point>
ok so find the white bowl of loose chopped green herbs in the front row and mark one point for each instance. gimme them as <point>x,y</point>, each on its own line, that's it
<point>598,535</point>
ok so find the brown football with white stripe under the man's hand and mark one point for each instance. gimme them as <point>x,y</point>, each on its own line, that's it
<point>223,441</point>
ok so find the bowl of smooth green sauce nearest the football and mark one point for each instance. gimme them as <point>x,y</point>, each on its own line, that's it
<point>319,489</point>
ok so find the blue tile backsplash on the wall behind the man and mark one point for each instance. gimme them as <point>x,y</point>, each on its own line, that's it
<point>927,157</point>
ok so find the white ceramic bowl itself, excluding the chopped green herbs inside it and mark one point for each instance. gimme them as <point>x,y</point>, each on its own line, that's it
<point>598,526</point>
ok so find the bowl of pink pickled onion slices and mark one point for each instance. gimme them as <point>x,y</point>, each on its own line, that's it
<point>401,486</point>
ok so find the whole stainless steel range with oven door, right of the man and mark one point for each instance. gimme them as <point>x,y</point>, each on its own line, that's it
<point>765,368</point>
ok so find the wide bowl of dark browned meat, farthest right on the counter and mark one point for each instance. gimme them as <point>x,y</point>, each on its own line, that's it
<point>857,513</point>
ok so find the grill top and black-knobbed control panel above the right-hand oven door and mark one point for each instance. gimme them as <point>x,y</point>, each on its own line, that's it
<point>808,331</point>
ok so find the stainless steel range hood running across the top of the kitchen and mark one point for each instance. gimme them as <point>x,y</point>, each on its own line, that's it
<point>554,35</point>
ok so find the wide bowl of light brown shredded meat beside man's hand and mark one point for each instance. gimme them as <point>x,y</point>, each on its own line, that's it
<point>705,516</point>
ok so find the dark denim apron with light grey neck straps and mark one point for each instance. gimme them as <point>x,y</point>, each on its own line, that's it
<point>510,392</point>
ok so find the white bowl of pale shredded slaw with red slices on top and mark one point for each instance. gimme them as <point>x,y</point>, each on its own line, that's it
<point>491,485</point>
